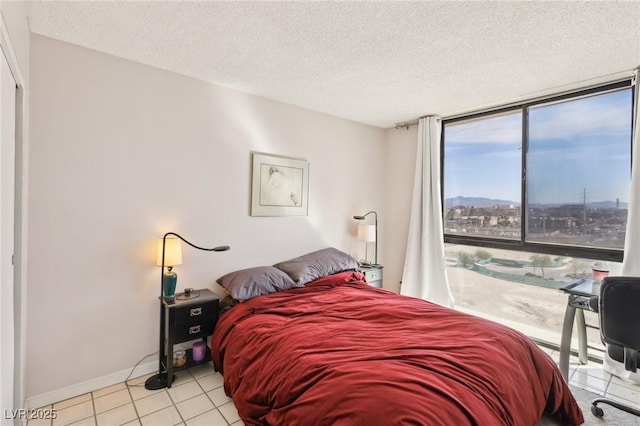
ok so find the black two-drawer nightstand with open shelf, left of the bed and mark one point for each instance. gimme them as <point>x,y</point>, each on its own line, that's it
<point>182,320</point>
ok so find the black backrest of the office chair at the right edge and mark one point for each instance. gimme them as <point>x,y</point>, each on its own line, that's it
<point>619,311</point>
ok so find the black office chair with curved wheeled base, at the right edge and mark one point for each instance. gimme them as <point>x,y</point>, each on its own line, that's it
<point>619,316</point>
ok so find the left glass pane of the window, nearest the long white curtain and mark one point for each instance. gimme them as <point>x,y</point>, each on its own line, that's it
<point>481,199</point>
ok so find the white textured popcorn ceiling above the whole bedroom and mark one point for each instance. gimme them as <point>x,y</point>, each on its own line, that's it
<point>378,63</point>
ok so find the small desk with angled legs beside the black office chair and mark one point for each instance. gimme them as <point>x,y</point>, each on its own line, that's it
<point>579,293</point>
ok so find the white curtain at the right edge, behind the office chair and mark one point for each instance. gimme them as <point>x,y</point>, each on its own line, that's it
<point>631,262</point>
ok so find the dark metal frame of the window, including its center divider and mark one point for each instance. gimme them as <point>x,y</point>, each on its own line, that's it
<point>607,254</point>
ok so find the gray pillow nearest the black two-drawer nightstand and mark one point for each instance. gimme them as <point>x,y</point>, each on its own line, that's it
<point>247,283</point>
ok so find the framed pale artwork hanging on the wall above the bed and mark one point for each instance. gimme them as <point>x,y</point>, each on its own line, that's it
<point>279,186</point>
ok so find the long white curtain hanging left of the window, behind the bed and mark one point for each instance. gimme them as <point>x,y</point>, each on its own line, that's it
<point>424,273</point>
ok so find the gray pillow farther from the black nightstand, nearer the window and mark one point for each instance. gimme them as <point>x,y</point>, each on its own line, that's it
<point>318,264</point>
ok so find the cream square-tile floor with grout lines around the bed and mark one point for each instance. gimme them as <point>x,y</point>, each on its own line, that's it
<point>197,398</point>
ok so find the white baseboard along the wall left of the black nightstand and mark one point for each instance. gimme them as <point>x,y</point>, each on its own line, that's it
<point>78,389</point>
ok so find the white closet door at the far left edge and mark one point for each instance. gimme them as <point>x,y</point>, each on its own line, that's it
<point>7,192</point>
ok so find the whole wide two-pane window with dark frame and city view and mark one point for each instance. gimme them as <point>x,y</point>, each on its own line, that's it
<point>547,176</point>
